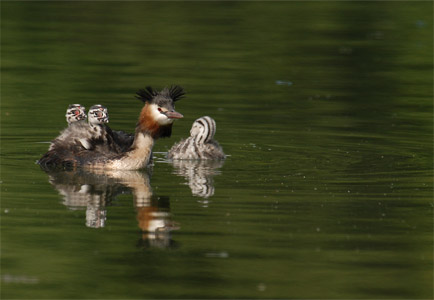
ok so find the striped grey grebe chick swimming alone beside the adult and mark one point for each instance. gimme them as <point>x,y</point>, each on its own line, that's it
<point>200,144</point>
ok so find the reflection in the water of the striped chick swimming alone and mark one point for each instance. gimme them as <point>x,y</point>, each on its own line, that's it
<point>199,175</point>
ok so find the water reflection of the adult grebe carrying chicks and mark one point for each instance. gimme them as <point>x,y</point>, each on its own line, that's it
<point>97,189</point>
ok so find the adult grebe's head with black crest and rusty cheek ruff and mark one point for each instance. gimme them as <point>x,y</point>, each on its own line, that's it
<point>158,114</point>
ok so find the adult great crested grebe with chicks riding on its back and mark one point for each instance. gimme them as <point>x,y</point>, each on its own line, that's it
<point>155,121</point>
